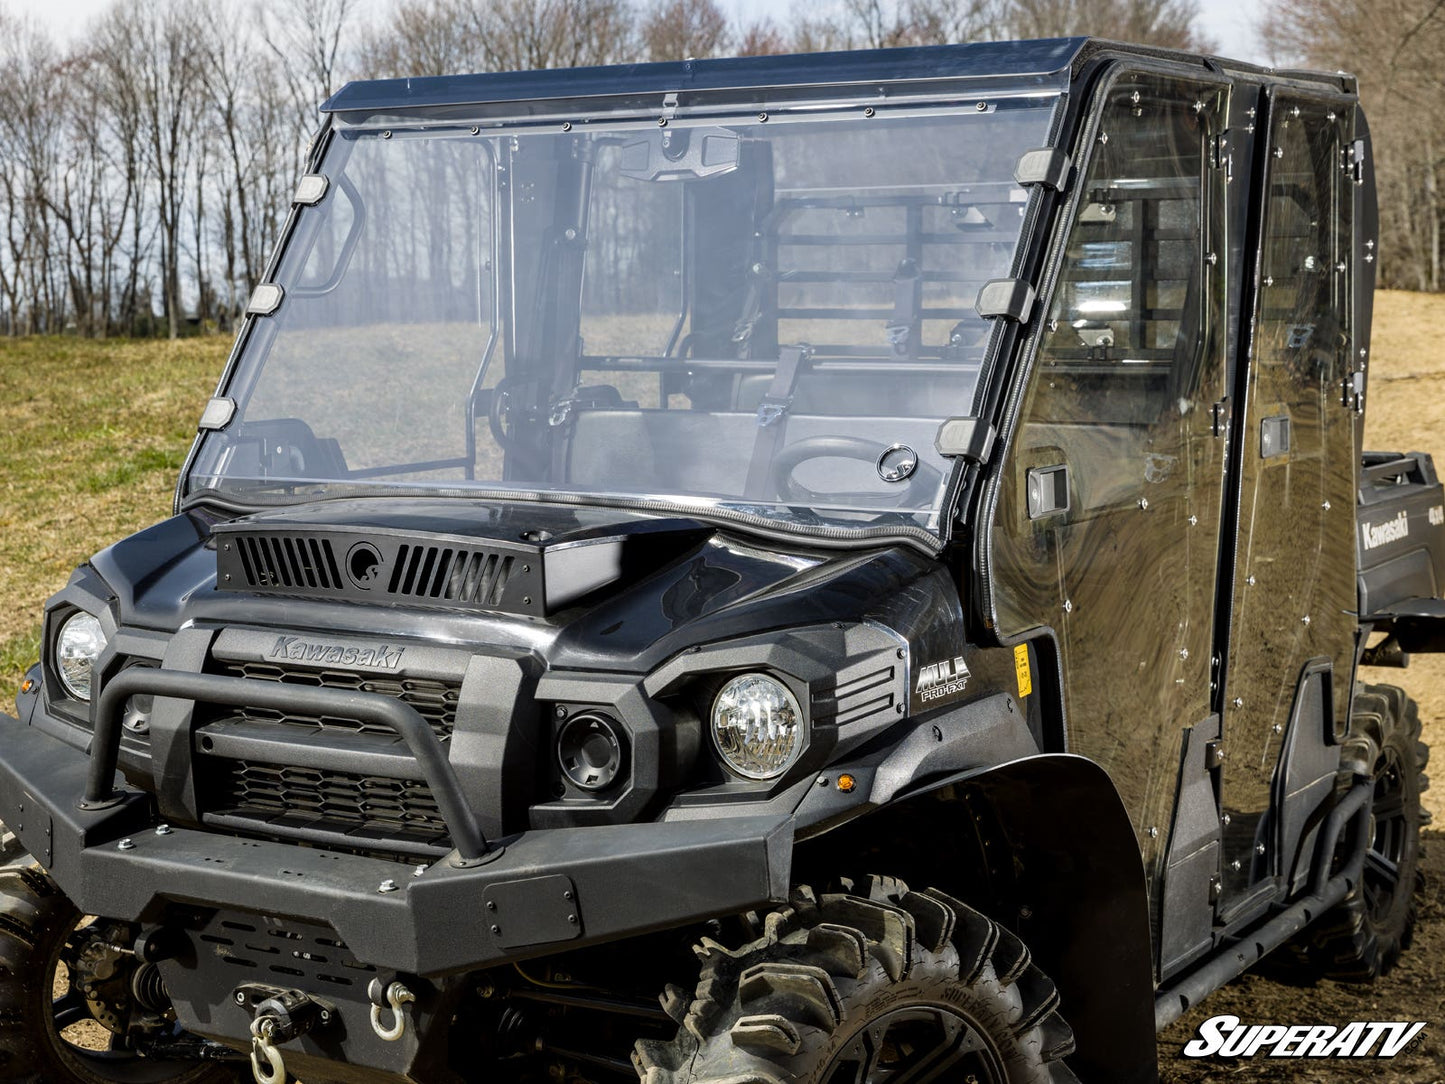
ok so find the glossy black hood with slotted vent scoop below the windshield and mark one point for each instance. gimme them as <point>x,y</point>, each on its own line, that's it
<point>583,588</point>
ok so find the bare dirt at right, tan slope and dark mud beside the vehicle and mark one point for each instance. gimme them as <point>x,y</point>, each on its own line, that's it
<point>1405,413</point>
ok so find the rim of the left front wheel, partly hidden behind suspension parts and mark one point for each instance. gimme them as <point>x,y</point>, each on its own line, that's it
<point>83,1043</point>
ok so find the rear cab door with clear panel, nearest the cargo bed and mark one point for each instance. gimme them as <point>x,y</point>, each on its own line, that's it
<point>1291,638</point>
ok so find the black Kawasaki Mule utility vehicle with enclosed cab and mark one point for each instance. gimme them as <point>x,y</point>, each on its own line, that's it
<point>806,569</point>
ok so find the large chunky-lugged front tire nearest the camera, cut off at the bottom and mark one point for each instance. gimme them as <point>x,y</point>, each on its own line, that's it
<point>840,984</point>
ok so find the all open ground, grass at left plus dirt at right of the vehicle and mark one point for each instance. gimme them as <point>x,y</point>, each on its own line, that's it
<point>92,436</point>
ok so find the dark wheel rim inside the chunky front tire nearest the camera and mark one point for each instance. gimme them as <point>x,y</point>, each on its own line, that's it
<point>914,1046</point>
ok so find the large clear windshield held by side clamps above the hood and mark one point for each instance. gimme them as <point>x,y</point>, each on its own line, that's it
<point>769,317</point>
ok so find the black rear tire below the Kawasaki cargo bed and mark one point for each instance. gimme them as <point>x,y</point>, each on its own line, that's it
<point>1363,937</point>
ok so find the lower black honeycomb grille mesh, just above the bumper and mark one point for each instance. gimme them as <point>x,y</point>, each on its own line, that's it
<point>374,812</point>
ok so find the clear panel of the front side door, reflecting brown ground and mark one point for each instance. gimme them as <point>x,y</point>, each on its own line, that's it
<point>1109,507</point>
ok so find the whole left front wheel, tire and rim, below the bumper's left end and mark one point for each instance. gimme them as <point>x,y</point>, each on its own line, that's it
<point>67,1010</point>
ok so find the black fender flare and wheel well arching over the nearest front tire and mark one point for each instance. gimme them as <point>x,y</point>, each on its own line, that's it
<point>1079,891</point>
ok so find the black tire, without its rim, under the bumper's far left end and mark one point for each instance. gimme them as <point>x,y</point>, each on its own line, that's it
<point>35,921</point>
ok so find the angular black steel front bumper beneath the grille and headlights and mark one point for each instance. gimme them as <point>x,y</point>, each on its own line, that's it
<point>545,892</point>
